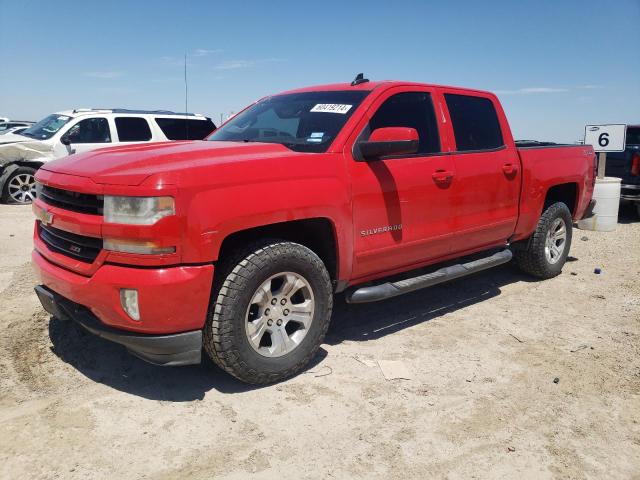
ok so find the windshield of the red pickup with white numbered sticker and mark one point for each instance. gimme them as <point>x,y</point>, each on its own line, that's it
<point>304,122</point>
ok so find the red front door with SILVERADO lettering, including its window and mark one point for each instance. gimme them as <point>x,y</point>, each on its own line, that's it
<point>402,209</point>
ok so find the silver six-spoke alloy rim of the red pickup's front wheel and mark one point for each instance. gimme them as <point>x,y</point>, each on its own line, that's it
<point>279,315</point>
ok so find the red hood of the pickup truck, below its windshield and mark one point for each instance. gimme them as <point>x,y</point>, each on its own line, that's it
<point>133,164</point>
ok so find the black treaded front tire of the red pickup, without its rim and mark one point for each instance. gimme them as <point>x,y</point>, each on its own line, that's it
<point>224,335</point>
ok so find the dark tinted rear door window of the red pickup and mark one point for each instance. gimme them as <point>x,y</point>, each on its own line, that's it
<point>475,122</point>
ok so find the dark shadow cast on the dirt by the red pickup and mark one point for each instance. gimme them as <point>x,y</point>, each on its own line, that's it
<point>110,364</point>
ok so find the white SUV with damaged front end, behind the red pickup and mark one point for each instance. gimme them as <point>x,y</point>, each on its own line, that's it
<point>81,130</point>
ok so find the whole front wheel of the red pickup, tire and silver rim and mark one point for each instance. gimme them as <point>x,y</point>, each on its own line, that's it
<point>269,313</point>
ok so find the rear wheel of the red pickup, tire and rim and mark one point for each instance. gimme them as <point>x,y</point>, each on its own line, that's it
<point>549,245</point>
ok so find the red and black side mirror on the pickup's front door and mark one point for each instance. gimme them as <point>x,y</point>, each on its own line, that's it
<point>389,141</point>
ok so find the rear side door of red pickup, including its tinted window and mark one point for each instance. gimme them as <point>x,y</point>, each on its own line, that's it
<point>487,171</point>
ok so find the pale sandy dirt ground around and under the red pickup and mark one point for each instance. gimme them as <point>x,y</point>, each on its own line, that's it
<point>483,353</point>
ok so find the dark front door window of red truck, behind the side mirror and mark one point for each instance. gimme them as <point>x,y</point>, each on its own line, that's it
<point>413,110</point>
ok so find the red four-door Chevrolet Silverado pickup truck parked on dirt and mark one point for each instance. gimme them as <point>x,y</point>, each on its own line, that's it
<point>238,244</point>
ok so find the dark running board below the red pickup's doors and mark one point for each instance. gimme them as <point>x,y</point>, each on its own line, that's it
<point>393,289</point>
